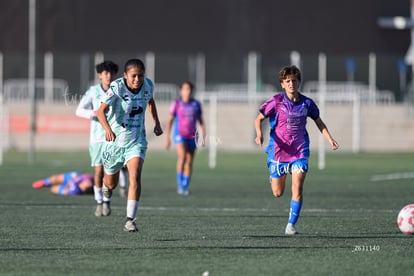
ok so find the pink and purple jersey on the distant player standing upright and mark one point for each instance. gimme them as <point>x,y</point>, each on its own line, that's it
<point>186,115</point>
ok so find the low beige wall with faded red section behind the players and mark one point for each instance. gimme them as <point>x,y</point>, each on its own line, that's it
<point>59,129</point>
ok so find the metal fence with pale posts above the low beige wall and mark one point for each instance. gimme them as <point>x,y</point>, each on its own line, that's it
<point>66,76</point>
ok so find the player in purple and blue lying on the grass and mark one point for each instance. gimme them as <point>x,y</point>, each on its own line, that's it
<point>69,183</point>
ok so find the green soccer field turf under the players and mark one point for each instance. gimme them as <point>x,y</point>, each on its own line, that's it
<point>229,225</point>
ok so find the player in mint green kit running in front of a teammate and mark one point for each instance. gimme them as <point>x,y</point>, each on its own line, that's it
<point>122,115</point>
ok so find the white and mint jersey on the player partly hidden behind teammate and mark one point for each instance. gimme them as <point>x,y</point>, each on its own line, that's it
<point>89,103</point>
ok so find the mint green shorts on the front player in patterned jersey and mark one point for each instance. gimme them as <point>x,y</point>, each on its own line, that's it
<point>114,157</point>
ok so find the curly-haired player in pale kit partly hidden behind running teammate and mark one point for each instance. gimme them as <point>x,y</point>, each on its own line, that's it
<point>87,108</point>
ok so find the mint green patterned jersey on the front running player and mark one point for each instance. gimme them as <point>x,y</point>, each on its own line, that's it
<point>126,113</point>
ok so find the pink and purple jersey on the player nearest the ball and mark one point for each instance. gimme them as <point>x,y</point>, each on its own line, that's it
<point>289,139</point>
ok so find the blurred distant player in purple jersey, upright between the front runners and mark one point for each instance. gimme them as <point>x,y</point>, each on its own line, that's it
<point>184,114</point>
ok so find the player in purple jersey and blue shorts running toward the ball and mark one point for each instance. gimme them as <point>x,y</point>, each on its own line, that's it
<point>288,149</point>
